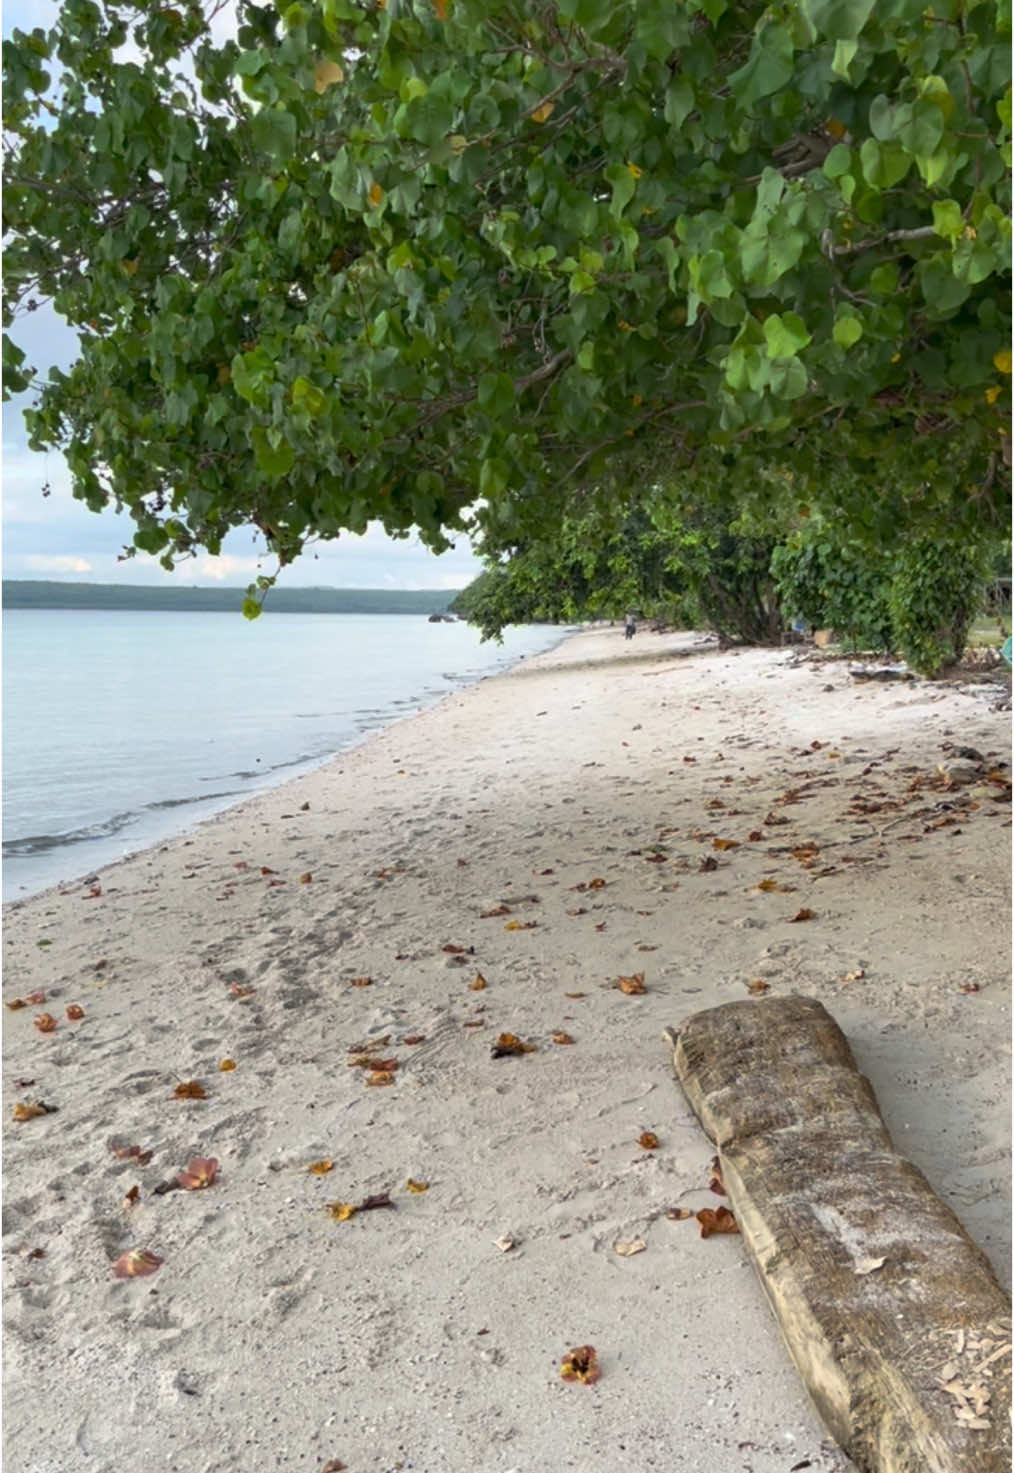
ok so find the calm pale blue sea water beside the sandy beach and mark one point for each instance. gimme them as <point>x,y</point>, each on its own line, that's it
<point>125,728</point>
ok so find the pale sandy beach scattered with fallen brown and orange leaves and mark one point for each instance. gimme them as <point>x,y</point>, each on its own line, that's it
<point>576,799</point>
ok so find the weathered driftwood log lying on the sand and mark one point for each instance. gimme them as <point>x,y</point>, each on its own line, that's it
<point>889,1310</point>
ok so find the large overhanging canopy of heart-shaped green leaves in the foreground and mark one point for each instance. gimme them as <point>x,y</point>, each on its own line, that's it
<point>380,259</point>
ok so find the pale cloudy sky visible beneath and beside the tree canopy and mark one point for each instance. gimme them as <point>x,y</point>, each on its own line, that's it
<point>57,537</point>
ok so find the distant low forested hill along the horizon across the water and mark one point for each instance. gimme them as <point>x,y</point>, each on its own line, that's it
<point>49,594</point>
